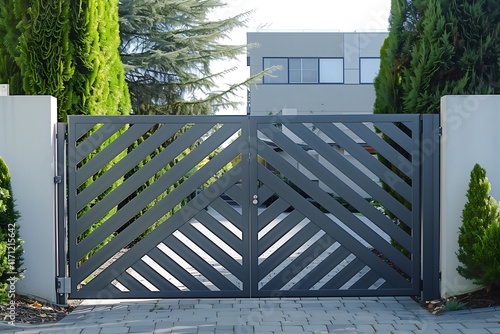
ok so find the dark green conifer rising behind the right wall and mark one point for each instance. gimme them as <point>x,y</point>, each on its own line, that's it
<point>438,48</point>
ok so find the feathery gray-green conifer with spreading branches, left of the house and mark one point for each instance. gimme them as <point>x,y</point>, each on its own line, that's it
<point>167,48</point>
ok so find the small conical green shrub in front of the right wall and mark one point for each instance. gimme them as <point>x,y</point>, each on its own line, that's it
<point>479,234</point>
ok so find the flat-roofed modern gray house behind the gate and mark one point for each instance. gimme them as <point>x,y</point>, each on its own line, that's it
<point>321,72</point>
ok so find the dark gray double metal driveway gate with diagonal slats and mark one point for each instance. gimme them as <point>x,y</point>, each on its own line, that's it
<point>239,206</point>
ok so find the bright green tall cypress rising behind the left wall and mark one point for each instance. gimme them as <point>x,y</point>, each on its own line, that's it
<point>67,49</point>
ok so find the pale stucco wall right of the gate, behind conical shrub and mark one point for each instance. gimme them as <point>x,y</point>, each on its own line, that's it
<point>471,134</point>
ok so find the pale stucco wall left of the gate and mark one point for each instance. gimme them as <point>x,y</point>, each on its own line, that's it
<point>27,144</point>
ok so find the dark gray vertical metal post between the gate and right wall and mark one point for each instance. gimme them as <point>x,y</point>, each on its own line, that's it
<point>430,206</point>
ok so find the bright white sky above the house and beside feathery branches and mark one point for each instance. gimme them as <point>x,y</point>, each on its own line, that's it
<point>286,15</point>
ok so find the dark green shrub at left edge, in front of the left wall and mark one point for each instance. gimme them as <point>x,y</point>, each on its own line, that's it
<point>9,233</point>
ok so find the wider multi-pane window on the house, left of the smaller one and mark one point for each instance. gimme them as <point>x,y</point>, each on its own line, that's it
<point>305,70</point>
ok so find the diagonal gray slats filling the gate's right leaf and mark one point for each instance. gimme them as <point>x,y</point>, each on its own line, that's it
<point>295,163</point>
